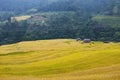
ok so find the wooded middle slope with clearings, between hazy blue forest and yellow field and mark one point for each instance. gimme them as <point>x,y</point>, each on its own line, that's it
<point>51,25</point>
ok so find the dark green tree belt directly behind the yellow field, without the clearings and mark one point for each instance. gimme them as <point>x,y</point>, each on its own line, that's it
<point>68,25</point>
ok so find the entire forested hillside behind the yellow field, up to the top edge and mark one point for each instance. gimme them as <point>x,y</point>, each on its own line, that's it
<point>59,19</point>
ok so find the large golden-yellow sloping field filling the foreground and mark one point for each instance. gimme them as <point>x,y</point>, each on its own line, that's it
<point>60,59</point>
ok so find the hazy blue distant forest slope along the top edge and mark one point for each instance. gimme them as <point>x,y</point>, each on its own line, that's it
<point>111,7</point>
